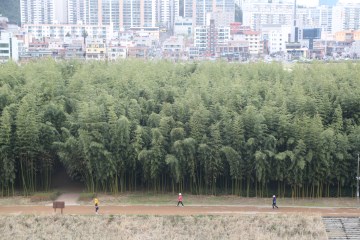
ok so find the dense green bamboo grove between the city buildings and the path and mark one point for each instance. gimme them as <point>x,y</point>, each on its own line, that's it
<point>204,128</point>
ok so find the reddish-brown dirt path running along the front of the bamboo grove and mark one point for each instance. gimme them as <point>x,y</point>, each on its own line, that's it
<point>172,210</point>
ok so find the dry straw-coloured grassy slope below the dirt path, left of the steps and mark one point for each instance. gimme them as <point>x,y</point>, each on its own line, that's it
<point>258,227</point>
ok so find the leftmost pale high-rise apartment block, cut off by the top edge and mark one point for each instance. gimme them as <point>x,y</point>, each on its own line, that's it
<point>37,11</point>
